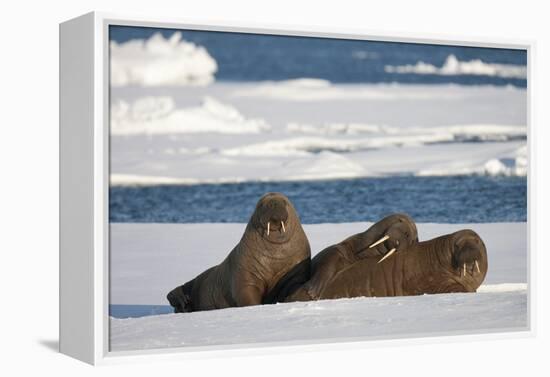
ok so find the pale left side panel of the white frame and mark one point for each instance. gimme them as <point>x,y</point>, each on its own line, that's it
<point>76,188</point>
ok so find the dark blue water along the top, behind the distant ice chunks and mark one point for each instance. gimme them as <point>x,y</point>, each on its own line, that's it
<point>255,57</point>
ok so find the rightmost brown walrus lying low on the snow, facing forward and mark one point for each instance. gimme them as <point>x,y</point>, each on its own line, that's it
<point>430,267</point>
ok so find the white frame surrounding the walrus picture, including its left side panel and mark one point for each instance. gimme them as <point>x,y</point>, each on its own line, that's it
<point>84,183</point>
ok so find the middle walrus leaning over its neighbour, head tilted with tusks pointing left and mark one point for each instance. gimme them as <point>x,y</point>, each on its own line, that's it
<point>335,259</point>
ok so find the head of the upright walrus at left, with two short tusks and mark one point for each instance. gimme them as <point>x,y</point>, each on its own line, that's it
<point>274,218</point>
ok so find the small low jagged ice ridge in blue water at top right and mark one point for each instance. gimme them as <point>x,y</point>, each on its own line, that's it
<point>453,67</point>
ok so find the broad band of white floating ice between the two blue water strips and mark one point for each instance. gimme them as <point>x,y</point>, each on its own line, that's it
<point>238,132</point>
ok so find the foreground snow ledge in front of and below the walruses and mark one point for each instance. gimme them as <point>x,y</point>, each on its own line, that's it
<point>327,320</point>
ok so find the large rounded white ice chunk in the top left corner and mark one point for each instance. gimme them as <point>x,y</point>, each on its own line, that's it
<point>159,61</point>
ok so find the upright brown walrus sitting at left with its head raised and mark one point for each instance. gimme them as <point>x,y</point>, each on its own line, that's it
<point>272,256</point>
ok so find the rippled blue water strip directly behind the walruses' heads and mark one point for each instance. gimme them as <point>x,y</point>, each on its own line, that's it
<point>451,199</point>
